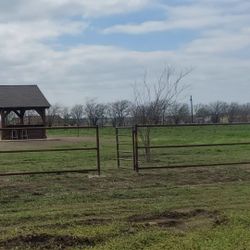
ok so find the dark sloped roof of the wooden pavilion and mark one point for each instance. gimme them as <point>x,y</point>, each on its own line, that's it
<point>22,96</point>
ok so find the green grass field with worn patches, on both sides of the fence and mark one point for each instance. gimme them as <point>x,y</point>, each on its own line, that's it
<point>196,208</point>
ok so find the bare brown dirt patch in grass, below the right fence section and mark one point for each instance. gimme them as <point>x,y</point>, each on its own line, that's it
<point>181,219</point>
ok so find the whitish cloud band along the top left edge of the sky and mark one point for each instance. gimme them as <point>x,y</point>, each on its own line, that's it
<point>30,9</point>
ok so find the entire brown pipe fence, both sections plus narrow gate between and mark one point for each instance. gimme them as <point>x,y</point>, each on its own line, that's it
<point>128,148</point>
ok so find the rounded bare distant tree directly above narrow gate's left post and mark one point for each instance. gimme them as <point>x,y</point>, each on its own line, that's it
<point>118,111</point>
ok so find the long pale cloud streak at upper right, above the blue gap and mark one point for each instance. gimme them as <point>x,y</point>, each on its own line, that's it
<point>192,16</point>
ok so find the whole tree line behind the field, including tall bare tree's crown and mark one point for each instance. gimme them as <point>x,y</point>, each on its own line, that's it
<point>156,101</point>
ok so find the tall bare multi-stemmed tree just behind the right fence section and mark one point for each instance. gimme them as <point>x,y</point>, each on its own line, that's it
<point>152,99</point>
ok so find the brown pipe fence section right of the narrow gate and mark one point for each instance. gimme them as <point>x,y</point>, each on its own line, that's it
<point>139,146</point>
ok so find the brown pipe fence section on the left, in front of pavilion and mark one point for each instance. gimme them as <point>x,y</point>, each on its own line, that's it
<point>95,148</point>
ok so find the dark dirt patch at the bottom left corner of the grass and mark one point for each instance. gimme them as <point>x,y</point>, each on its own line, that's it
<point>45,241</point>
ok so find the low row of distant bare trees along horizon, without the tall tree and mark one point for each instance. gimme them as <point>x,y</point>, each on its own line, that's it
<point>126,113</point>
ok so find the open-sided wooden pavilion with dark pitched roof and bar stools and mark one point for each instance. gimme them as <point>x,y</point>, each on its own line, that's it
<point>19,99</point>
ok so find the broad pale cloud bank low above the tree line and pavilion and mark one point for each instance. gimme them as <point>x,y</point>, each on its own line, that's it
<point>108,73</point>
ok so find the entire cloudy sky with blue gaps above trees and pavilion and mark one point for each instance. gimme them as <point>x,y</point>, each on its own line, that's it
<point>79,49</point>
